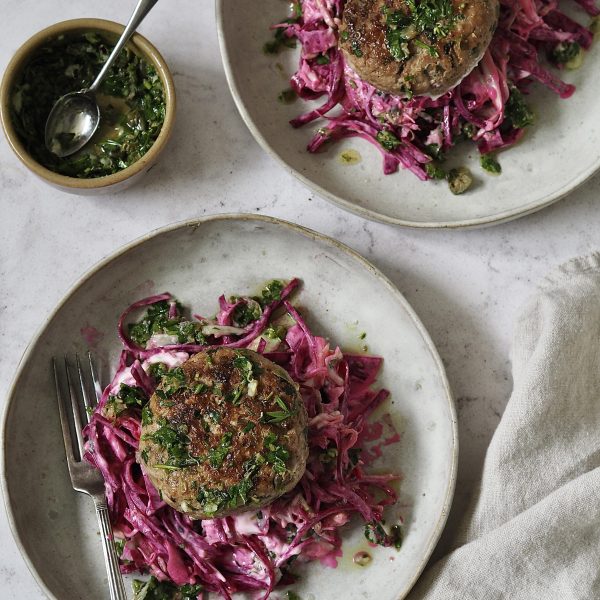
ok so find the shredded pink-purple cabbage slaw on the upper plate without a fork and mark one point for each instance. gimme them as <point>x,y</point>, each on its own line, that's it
<point>475,109</point>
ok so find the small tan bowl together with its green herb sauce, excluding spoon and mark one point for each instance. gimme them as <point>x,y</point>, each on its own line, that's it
<point>136,100</point>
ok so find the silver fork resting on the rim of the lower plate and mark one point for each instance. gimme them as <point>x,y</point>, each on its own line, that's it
<point>84,477</point>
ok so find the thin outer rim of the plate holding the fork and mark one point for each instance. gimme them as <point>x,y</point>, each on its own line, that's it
<point>195,223</point>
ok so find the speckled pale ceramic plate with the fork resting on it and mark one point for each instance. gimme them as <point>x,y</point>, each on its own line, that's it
<point>343,295</point>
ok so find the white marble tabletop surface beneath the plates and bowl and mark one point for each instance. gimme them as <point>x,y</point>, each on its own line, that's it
<point>466,286</point>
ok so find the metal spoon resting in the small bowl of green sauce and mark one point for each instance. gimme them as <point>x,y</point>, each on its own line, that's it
<point>75,117</point>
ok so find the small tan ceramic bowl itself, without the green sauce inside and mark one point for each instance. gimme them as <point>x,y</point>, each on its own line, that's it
<point>98,185</point>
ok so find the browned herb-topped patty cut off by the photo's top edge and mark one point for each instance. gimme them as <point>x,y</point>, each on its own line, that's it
<point>424,51</point>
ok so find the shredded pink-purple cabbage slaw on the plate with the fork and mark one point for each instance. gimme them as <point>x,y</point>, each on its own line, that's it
<point>250,551</point>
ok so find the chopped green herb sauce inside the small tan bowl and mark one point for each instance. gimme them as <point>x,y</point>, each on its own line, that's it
<point>131,100</point>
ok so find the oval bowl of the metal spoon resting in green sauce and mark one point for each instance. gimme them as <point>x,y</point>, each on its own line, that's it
<point>72,122</point>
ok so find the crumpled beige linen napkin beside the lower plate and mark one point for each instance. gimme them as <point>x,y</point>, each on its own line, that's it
<point>533,529</point>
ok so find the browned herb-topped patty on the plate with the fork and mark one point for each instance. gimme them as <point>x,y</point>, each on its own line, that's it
<point>225,433</point>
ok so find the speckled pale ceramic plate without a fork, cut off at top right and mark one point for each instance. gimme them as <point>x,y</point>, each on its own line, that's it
<point>559,153</point>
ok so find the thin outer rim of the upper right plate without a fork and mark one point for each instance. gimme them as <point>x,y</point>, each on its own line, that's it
<point>366,213</point>
